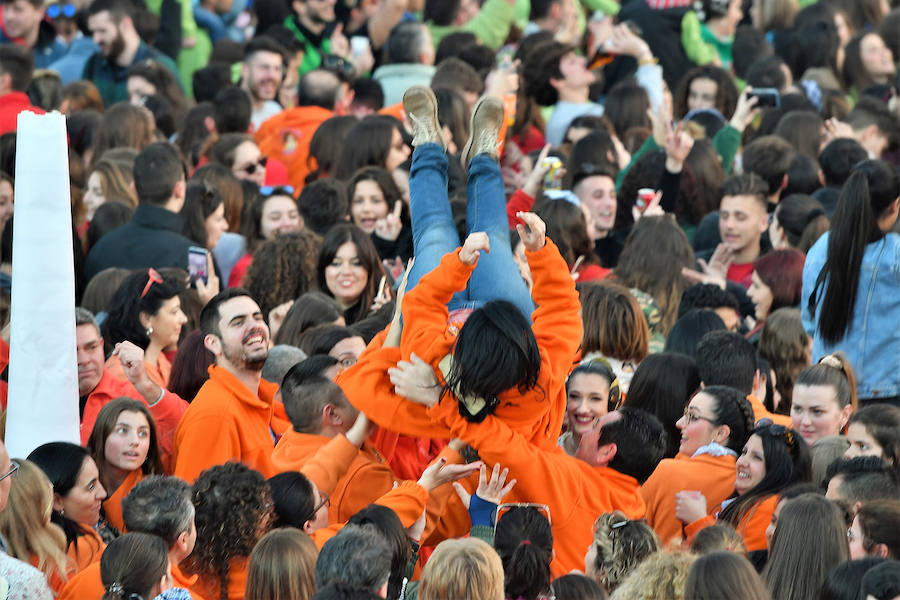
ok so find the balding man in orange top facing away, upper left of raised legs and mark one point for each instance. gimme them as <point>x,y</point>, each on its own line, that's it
<point>317,98</point>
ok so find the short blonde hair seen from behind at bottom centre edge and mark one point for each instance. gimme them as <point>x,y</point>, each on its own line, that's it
<point>464,568</point>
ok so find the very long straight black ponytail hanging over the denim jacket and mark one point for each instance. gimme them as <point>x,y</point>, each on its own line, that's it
<point>869,192</point>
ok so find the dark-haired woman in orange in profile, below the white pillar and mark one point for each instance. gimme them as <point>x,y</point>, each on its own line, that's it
<point>77,497</point>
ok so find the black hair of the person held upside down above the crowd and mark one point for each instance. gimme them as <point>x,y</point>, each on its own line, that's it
<point>496,350</point>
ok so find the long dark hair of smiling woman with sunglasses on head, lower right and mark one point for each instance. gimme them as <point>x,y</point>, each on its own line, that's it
<point>787,462</point>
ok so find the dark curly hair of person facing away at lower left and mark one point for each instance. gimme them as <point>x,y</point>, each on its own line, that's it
<point>233,511</point>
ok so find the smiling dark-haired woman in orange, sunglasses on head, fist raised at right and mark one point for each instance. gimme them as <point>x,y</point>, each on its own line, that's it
<point>773,458</point>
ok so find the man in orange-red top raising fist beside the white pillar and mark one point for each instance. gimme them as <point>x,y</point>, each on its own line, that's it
<point>97,386</point>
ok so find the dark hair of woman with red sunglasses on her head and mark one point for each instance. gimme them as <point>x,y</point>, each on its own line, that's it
<point>123,322</point>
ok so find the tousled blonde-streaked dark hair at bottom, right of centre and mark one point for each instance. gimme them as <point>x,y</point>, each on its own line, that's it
<point>622,545</point>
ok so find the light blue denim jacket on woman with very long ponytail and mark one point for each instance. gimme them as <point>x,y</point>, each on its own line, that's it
<point>872,344</point>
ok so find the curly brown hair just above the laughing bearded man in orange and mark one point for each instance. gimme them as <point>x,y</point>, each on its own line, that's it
<point>283,269</point>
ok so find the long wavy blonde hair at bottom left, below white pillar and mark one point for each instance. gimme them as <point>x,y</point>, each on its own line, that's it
<point>25,522</point>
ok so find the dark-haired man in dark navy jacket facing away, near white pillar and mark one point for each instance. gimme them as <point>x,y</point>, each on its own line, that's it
<point>152,238</point>
